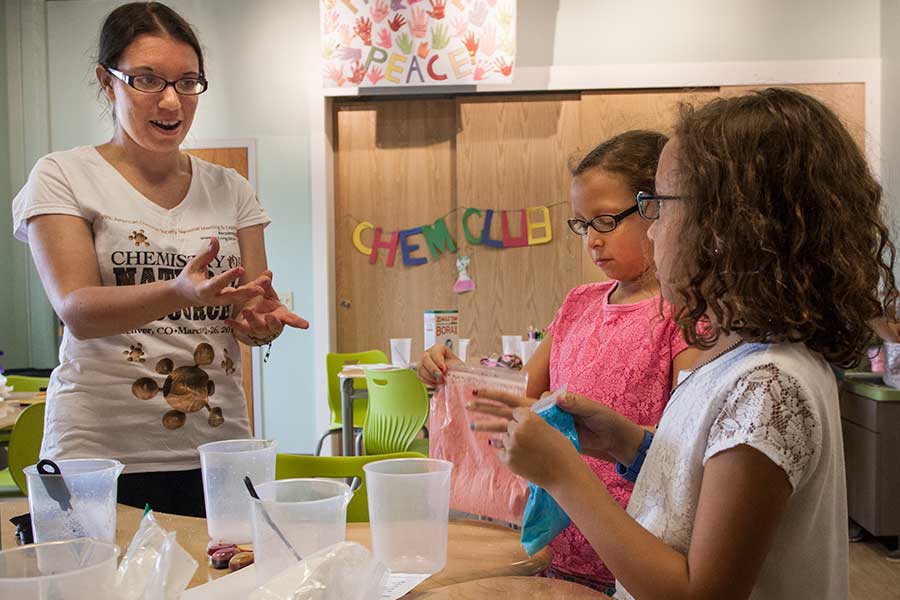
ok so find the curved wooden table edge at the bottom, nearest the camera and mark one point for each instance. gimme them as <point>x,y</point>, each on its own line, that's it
<point>512,588</point>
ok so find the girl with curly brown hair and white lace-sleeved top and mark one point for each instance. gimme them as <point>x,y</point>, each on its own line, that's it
<point>769,241</point>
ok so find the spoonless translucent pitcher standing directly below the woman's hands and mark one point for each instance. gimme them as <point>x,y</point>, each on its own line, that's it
<point>224,466</point>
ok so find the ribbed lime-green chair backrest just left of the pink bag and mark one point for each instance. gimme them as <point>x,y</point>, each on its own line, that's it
<point>398,408</point>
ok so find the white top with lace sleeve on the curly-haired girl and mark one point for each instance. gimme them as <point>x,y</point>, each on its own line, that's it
<point>782,400</point>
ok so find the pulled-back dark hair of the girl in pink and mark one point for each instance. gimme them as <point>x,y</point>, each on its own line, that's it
<point>632,155</point>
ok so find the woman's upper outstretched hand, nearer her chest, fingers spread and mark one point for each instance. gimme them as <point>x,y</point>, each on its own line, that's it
<point>194,286</point>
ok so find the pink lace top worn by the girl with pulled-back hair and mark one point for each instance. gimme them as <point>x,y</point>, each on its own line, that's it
<point>619,355</point>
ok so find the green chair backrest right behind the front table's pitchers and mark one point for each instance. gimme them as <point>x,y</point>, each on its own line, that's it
<point>288,466</point>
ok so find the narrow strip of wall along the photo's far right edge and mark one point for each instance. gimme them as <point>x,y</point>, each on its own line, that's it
<point>890,132</point>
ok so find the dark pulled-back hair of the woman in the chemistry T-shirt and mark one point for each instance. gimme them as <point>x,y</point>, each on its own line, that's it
<point>129,21</point>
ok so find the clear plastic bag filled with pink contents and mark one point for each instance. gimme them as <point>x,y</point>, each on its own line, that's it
<point>480,484</point>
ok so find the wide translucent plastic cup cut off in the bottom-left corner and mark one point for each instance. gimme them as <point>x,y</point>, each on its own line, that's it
<point>59,570</point>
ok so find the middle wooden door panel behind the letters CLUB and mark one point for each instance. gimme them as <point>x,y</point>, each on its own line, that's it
<point>512,152</point>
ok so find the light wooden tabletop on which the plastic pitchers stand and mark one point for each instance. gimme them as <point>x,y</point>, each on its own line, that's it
<point>475,550</point>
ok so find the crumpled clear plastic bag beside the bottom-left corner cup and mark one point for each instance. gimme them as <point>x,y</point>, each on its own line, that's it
<point>155,566</point>
